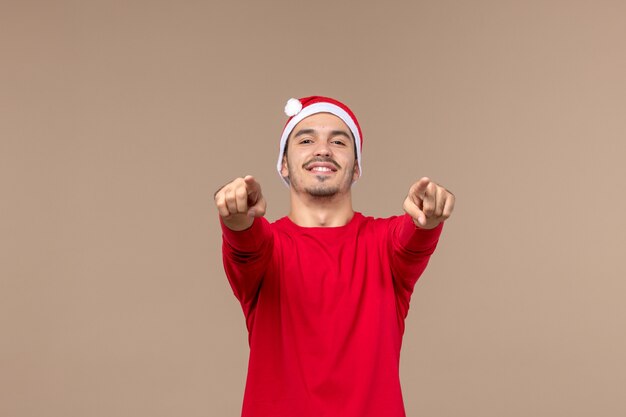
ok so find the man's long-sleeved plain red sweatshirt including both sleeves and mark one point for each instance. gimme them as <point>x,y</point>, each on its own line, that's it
<point>325,310</point>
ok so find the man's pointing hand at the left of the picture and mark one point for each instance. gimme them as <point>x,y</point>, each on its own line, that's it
<point>239,202</point>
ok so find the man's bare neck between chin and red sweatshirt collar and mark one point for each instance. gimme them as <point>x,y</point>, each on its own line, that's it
<point>309,211</point>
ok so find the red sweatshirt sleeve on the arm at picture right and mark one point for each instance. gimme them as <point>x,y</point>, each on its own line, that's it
<point>411,248</point>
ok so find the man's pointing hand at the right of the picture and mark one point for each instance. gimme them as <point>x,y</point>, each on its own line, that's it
<point>428,203</point>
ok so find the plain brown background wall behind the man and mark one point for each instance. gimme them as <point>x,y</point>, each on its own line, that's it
<point>118,120</point>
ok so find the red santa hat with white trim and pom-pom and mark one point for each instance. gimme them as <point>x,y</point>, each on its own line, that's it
<point>298,109</point>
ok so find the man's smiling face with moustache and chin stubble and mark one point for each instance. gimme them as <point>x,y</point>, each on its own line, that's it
<point>320,158</point>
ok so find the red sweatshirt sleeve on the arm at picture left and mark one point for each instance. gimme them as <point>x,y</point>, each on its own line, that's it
<point>246,254</point>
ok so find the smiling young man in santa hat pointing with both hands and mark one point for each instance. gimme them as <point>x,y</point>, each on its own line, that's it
<point>325,291</point>
